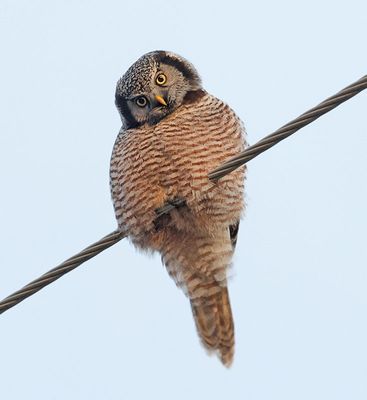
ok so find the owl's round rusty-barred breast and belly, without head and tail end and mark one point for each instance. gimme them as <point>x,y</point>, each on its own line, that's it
<point>154,164</point>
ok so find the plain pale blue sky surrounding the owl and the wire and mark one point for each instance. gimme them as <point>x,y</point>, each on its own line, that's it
<point>117,327</point>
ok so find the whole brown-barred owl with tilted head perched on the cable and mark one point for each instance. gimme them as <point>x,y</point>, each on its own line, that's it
<point>173,134</point>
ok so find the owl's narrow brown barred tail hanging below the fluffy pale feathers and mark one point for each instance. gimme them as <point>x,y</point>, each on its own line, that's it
<point>214,322</point>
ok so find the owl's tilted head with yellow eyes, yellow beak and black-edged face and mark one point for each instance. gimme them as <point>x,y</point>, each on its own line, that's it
<point>154,86</point>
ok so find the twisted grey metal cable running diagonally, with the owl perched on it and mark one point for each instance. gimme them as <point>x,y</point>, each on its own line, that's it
<point>224,169</point>
